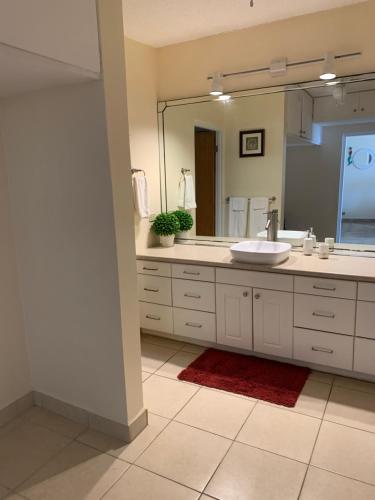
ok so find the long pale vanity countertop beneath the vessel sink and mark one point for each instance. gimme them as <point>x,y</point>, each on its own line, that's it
<point>338,266</point>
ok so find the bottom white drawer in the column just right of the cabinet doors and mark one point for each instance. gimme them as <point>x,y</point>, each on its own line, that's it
<point>323,348</point>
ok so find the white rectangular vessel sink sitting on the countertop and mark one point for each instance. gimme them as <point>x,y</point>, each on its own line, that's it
<point>260,252</point>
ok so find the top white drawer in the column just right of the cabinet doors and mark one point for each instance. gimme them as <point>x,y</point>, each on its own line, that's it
<point>326,287</point>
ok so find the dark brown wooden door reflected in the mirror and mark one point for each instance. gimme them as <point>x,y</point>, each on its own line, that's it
<point>205,181</point>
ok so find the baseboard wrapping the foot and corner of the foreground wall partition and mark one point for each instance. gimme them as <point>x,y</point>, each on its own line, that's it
<point>125,432</point>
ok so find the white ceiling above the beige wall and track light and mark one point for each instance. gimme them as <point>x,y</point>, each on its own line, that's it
<point>164,22</point>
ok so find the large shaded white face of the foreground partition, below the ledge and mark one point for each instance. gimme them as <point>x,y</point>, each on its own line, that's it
<point>55,147</point>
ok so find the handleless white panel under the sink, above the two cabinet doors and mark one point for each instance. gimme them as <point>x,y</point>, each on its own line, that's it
<point>270,281</point>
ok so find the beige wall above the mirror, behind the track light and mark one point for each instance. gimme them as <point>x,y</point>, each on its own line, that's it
<point>183,68</point>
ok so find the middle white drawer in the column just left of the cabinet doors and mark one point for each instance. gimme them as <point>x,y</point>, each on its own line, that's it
<point>193,295</point>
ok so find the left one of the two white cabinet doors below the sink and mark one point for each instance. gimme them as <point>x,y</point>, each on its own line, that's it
<point>234,316</point>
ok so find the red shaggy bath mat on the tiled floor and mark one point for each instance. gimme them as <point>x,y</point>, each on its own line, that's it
<point>271,381</point>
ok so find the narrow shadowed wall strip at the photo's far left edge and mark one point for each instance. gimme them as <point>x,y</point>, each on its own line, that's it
<point>14,365</point>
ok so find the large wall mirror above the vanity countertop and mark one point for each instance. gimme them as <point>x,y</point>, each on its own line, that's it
<point>306,150</point>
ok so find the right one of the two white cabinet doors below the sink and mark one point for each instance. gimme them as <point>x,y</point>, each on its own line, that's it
<point>273,322</point>
